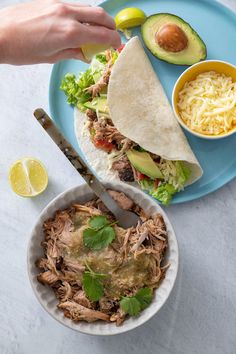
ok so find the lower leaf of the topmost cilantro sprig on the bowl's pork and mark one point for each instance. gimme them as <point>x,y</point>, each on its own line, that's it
<point>97,240</point>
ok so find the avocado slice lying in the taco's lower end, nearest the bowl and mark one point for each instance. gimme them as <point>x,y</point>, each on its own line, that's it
<point>143,162</point>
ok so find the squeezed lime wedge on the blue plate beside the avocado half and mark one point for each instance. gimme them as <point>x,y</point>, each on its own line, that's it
<point>129,17</point>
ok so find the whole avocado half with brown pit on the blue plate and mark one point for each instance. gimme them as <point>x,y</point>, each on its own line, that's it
<point>171,39</point>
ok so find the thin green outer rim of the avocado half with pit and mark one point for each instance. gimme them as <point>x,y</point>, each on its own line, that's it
<point>193,32</point>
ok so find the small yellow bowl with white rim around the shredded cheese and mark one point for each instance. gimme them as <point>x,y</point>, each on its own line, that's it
<point>190,74</point>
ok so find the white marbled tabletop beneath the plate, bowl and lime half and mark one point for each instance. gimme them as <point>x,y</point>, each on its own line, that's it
<point>200,316</point>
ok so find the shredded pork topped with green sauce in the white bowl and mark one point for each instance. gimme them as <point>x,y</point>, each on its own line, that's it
<point>132,261</point>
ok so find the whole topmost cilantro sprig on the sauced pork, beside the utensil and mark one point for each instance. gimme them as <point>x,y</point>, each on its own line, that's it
<point>100,233</point>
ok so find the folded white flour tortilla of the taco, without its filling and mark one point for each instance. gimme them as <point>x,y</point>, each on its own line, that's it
<point>141,112</point>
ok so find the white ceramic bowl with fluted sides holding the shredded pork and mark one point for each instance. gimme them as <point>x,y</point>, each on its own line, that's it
<point>46,296</point>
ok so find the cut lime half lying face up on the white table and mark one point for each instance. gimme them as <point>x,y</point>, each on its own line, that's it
<point>28,177</point>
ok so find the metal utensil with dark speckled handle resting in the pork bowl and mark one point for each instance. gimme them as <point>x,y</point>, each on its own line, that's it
<point>125,218</point>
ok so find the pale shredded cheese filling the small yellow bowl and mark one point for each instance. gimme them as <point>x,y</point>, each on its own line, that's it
<point>207,104</point>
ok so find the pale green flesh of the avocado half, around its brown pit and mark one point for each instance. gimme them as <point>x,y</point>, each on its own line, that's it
<point>194,51</point>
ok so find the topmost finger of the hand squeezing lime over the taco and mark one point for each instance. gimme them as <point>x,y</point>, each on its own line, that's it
<point>94,15</point>
